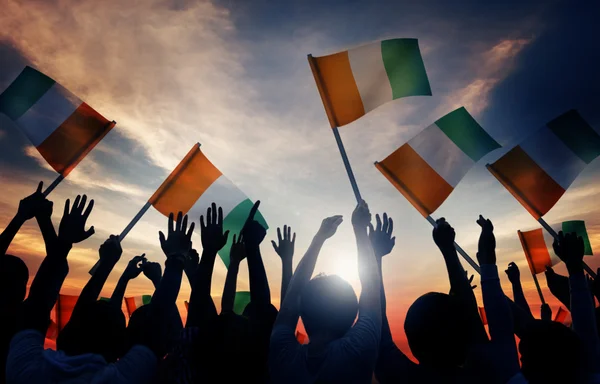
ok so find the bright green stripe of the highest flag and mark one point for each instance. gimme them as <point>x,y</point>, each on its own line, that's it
<point>405,69</point>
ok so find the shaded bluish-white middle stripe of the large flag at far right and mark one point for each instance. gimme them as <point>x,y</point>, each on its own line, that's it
<point>553,156</point>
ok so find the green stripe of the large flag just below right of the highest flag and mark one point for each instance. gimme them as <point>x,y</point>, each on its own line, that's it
<point>467,134</point>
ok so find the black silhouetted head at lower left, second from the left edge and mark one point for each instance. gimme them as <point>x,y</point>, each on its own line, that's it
<point>100,329</point>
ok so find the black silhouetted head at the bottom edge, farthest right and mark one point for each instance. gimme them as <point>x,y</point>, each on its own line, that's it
<point>551,353</point>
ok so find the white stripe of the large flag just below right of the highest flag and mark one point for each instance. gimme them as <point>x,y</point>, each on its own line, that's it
<point>449,161</point>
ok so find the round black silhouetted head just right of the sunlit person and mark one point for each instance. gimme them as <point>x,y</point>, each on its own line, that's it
<point>437,331</point>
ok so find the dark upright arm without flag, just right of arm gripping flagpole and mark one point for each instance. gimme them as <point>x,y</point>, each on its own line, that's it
<point>496,306</point>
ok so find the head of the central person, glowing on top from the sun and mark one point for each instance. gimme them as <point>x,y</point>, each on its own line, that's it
<point>328,307</point>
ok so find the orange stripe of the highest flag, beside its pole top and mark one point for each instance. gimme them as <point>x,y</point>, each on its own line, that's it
<point>337,85</point>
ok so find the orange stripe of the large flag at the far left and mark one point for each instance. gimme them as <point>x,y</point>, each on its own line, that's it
<point>74,139</point>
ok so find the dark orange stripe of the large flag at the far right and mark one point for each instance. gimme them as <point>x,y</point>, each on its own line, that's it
<point>527,182</point>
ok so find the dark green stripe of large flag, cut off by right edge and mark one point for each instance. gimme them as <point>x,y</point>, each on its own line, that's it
<point>577,134</point>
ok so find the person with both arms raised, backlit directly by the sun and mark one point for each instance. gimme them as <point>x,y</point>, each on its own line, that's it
<point>338,352</point>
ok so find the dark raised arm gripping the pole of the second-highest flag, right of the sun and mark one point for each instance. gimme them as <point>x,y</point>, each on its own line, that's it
<point>460,286</point>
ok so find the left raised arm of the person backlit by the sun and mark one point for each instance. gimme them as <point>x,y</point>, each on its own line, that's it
<point>289,311</point>
